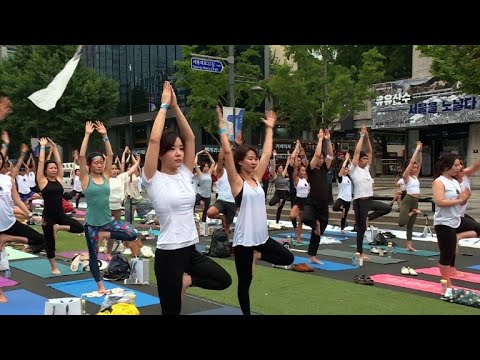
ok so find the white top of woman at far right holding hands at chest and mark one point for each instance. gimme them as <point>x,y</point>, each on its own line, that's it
<point>450,215</point>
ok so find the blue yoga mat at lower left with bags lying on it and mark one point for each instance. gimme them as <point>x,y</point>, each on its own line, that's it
<point>79,287</point>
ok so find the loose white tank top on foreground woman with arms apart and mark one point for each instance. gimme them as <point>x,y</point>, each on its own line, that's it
<point>251,227</point>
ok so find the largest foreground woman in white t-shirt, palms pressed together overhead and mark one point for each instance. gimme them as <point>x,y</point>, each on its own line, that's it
<point>167,177</point>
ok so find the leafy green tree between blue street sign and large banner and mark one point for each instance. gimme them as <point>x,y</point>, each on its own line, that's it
<point>321,92</point>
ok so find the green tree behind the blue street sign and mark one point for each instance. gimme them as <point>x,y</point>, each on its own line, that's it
<point>204,89</point>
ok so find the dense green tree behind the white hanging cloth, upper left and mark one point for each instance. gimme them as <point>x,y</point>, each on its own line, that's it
<point>88,96</point>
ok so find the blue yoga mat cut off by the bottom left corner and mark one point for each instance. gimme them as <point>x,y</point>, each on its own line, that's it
<point>23,302</point>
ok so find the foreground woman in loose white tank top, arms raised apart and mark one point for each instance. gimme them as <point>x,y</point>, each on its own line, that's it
<point>251,239</point>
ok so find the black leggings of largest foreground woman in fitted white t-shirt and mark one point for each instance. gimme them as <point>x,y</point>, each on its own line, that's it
<point>170,265</point>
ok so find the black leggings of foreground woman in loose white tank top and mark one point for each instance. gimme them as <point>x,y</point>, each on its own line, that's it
<point>272,252</point>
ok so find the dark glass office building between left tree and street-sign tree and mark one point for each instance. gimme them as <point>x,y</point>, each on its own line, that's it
<point>141,71</point>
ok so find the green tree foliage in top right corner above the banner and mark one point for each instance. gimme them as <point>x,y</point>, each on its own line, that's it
<point>454,63</point>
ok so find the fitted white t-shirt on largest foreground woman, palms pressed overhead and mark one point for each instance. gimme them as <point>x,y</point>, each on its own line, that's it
<point>173,199</point>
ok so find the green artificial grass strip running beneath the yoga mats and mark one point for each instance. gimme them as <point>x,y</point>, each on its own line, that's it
<point>282,292</point>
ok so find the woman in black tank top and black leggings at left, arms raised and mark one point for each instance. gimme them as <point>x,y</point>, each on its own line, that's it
<point>50,183</point>
